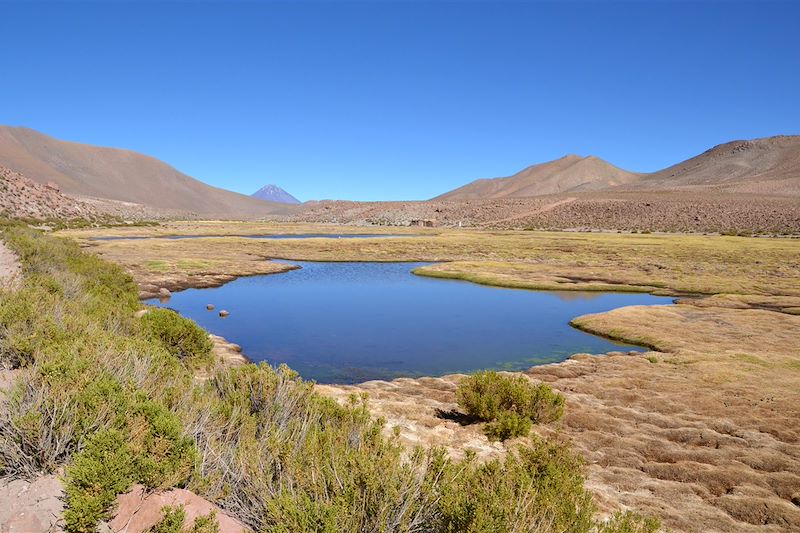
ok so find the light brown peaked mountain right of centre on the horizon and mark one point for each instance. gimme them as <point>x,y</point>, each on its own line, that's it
<point>571,173</point>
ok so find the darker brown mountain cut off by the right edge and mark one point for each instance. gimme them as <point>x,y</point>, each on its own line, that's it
<point>770,165</point>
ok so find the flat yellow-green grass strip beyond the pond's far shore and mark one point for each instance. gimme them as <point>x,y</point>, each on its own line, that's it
<point>764,269</point>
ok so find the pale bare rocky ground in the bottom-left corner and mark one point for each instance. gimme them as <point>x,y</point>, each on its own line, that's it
<point>33,506</point>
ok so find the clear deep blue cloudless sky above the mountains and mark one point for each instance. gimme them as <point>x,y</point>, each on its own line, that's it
<point>399,100</point>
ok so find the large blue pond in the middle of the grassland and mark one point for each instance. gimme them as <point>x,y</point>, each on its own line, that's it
<point>351,322</point>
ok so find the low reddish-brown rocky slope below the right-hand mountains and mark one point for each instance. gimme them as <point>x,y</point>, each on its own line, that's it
<point>676,211</point>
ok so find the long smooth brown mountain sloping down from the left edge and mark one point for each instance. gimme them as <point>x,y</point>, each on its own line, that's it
<point>111,173</point>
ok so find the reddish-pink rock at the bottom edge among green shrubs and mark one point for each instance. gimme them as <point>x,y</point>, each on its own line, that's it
<point>138,511</point>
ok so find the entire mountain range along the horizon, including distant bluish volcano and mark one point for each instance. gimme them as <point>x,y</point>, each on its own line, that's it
<point>766,167</point>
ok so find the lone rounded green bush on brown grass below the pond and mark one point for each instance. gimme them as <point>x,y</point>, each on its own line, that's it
<point>509,403</point>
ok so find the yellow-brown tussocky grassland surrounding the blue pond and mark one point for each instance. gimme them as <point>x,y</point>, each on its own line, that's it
<point>686,429</point>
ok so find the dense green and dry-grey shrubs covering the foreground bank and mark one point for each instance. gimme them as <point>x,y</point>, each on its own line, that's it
<point>113,399</point>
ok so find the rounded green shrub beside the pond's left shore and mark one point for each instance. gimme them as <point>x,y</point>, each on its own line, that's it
<point>180,336</point>
